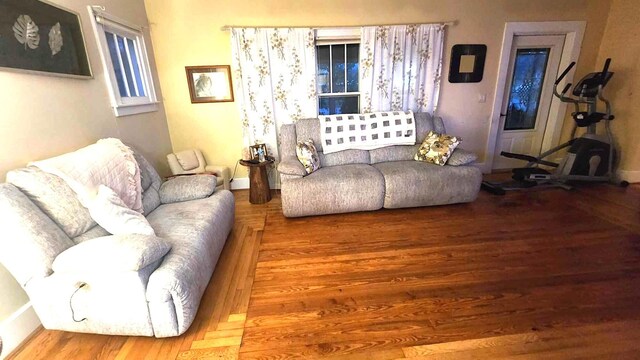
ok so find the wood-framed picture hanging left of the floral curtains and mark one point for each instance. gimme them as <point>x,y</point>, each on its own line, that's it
<point>209,83</point>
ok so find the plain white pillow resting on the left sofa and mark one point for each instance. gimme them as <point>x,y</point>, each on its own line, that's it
<point>110,212</point>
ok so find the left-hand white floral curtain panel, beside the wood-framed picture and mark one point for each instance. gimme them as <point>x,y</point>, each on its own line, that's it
<point>274,80</point>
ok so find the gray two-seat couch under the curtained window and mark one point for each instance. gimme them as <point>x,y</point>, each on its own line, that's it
<point>360,180</point>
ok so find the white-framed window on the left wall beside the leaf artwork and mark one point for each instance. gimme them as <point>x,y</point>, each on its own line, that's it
<point>126,65</point>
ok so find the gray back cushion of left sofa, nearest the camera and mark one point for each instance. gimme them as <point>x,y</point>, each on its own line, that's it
<point>54,197</point>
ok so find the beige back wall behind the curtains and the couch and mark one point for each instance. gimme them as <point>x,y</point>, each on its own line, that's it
<point>188,33</point>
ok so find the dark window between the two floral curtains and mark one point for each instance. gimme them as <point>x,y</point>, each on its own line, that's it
<point>338,57</point>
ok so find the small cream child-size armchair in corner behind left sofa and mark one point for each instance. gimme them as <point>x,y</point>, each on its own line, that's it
<point>191,162</point>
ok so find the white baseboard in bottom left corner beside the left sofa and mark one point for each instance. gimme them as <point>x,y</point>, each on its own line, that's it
<point>17,328</point>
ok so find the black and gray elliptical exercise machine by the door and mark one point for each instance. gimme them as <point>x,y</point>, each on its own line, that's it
<point>590,157</point>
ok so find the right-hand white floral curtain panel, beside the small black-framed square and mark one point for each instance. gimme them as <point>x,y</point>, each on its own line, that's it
<point>401,67</point>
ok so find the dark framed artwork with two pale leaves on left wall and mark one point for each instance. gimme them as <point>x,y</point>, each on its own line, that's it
<point>42,37</point>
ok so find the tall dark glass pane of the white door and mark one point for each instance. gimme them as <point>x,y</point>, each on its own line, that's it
<point>526,86</point>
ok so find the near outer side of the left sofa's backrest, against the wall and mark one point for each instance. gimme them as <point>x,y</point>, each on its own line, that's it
<point>31,240</point>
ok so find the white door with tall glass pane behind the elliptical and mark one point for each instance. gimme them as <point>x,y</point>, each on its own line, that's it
<point>533,68</point>
